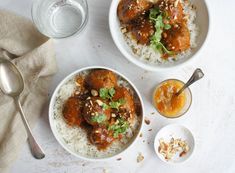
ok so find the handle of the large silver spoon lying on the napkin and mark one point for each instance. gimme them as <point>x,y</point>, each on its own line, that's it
<point>35,148</point>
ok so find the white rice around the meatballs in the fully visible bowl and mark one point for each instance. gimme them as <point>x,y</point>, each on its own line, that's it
<point>75,138</point>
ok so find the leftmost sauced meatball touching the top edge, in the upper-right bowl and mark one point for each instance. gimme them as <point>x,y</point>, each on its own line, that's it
<point>129,10</point>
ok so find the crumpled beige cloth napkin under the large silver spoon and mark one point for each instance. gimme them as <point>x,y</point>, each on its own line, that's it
<point>34,56</point>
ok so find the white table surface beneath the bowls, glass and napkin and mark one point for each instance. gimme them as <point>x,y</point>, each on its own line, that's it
<point>211,117</point>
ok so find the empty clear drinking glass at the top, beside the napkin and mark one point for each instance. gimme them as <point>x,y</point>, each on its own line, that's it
<point>60,18</point>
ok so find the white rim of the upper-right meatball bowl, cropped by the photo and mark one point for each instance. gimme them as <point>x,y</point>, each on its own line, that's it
<point>144,65</point>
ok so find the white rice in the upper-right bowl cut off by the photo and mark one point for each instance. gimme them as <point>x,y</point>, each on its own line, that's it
<point>148,55</point>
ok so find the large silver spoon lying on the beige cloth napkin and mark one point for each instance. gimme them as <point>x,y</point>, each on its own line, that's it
<point>12,84</point>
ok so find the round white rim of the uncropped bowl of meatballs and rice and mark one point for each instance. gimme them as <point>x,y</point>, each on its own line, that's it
<point>52,101</point>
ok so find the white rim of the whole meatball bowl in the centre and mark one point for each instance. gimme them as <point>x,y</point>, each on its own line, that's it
<point>52,121</point>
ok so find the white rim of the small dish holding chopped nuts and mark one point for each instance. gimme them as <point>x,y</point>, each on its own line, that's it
<point>167,126</point>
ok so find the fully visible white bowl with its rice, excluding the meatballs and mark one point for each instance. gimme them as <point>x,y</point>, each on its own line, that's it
<point>75,139</point>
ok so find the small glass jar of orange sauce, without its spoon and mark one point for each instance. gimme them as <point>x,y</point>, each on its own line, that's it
<point>167,103</point>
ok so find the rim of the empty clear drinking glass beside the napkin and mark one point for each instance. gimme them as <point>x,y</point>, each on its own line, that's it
<point>78,31</point>
